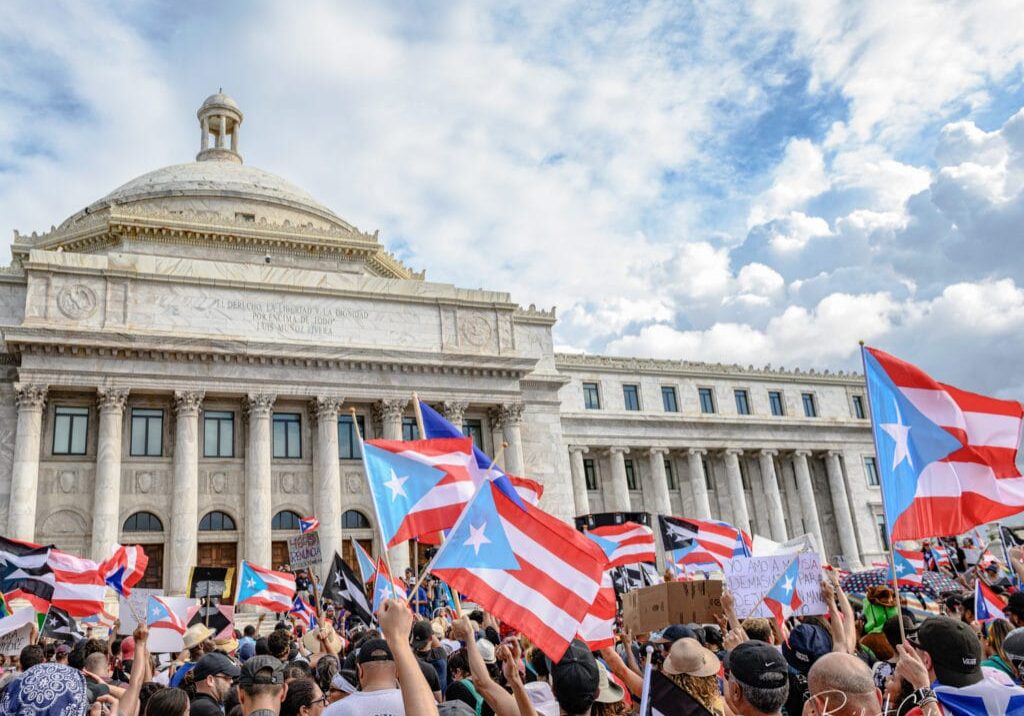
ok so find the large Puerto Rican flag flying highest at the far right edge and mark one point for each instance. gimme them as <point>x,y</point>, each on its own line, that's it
<point>947,457</point>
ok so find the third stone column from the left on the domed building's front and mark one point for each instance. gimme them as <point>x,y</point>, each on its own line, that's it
<point>185,503</point>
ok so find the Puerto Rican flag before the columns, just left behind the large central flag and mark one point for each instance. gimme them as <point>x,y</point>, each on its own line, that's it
<point>419,487</point>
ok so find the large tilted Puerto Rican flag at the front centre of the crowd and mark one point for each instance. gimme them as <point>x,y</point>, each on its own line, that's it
<point>531,570</point>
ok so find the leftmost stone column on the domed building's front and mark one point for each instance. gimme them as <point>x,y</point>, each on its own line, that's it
<point>31,399</point>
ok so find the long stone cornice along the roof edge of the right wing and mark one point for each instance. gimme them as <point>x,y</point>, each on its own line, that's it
<point>581,362</point>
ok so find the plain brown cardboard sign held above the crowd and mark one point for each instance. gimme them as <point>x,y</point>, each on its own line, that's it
<point>655,608</point>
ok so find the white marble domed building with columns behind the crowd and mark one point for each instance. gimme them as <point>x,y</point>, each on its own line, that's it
<point>181,359</point>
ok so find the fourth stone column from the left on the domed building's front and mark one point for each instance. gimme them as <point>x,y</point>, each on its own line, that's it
<point>260,484</point>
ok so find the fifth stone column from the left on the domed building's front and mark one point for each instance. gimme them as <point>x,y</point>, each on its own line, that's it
<point>327,494</point>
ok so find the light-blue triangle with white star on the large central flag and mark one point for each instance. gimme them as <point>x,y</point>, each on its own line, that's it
<point>479,540</point>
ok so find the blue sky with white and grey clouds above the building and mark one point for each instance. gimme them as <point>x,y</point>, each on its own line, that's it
<point>762,184</point>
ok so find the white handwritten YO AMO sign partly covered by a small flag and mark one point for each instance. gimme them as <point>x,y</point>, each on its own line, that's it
<point>751,578</point>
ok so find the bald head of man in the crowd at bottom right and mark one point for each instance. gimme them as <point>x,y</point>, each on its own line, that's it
<point>841,685</point>
